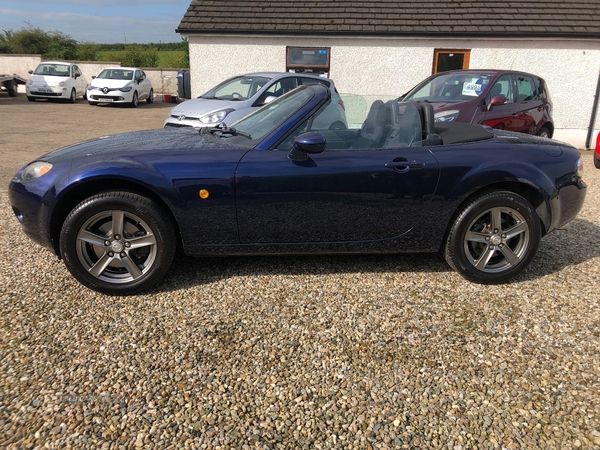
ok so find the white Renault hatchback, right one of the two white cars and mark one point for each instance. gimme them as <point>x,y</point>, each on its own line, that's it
<point>122,85</point>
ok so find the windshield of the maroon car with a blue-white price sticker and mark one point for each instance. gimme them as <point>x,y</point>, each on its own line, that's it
<point>453,88</point>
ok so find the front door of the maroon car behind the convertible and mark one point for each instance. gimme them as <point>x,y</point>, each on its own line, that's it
<point>499,116</point>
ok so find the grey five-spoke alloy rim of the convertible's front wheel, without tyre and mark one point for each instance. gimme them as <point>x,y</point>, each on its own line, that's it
<point>116,246</point>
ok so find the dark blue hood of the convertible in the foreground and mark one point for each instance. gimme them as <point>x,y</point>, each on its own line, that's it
<point>131,145</point>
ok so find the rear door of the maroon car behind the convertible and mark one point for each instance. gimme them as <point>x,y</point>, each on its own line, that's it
<point>531,107</point>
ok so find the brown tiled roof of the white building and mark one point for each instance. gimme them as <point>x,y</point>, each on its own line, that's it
<point>430,18</point>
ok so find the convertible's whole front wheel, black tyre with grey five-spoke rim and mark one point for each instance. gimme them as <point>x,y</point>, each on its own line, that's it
<point>118,243</point>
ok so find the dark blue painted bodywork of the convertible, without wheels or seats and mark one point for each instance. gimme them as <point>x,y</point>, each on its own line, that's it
<point>262,201</point>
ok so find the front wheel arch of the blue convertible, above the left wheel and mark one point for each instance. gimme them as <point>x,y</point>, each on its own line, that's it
<point>89,188</point>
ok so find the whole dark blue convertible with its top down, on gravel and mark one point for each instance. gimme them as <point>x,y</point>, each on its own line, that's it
<point>115,209</point>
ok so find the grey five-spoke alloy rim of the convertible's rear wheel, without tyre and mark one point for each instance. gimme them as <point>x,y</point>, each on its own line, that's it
<point>497,240</point>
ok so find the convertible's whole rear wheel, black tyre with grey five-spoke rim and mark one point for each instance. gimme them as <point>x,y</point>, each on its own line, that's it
<point>493,238</point>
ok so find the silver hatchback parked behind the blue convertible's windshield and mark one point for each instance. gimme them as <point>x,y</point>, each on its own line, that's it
<point>238,96</point>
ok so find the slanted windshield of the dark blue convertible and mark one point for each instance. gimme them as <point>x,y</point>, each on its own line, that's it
<point>253,128</point>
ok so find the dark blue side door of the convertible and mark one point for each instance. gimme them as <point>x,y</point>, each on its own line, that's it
<point>340,195</point>
